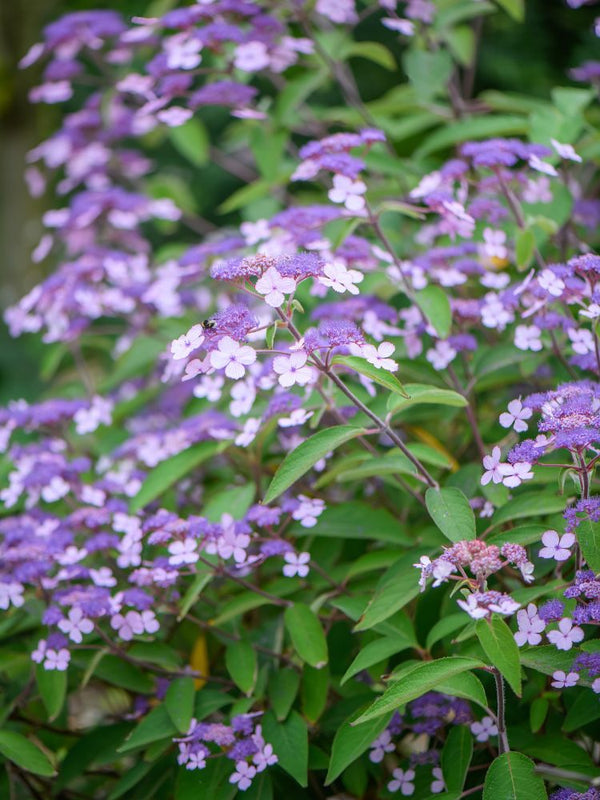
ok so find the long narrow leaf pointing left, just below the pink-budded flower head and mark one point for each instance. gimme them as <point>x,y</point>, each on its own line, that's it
<point>421,679</point>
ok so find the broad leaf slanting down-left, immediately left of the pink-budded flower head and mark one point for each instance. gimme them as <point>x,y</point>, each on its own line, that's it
<point>397,587</point>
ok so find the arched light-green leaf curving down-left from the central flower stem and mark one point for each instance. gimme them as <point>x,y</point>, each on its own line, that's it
<point>302,458</point>
